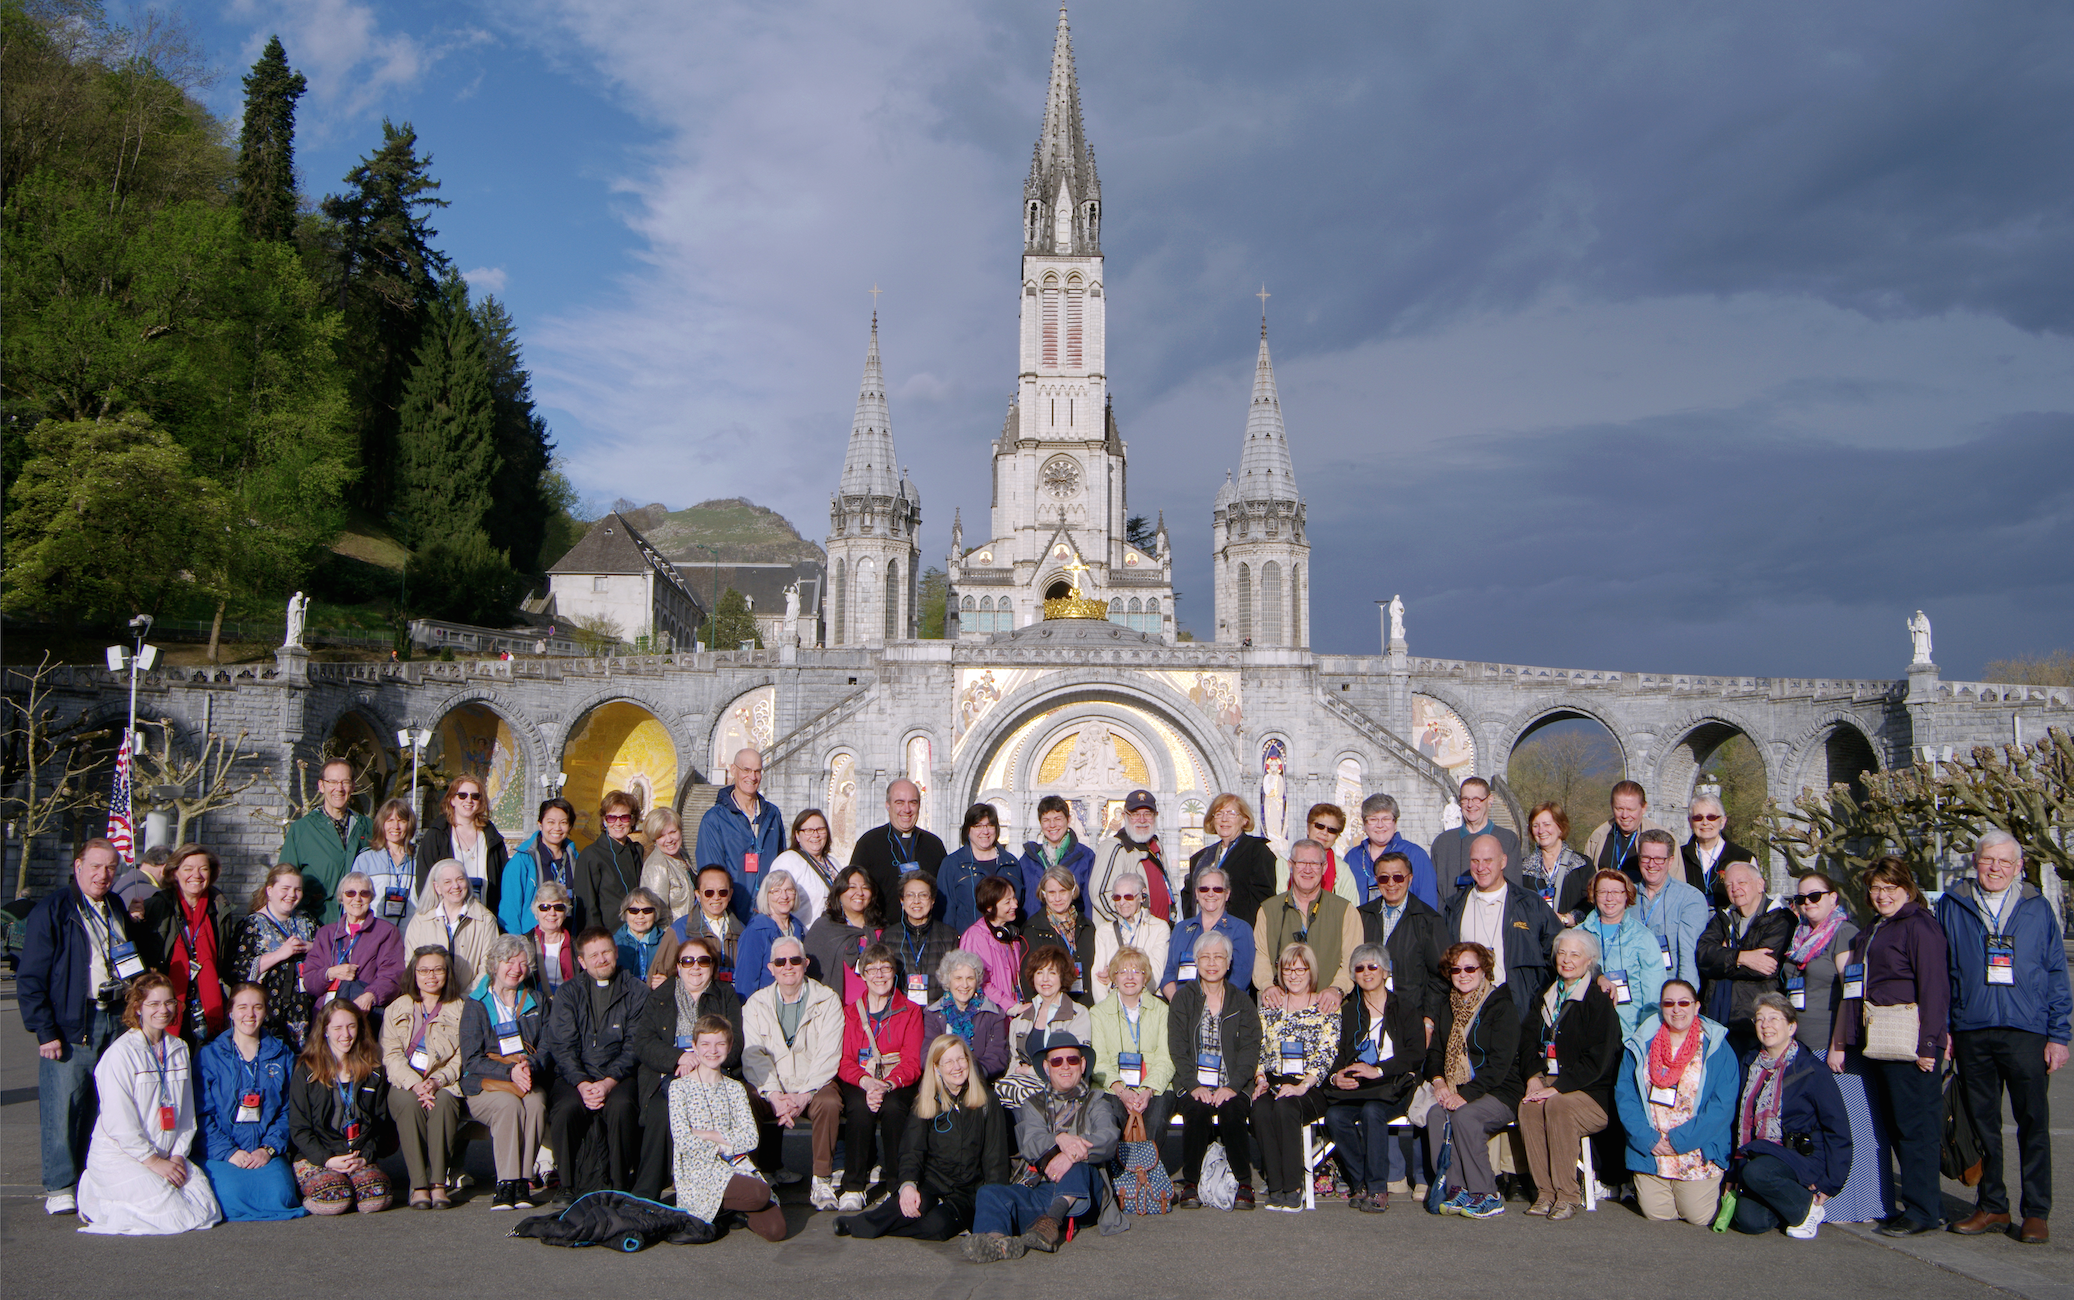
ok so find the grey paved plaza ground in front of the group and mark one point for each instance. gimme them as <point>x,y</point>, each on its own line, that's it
<point>1333,1251</point>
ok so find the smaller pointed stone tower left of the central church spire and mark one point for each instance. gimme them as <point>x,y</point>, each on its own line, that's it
<point>872,526</point>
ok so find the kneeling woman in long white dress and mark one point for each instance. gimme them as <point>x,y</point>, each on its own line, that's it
<point>140,1181</point>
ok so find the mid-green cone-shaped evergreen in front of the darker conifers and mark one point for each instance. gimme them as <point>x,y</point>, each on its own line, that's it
<point>447,428</point>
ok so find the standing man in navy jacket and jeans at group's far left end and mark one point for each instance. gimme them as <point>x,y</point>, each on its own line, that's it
<point>76,963</point>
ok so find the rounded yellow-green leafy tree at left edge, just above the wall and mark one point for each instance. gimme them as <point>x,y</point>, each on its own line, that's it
<point>80,544</point>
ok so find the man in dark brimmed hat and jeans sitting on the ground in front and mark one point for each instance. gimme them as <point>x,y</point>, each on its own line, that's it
<point>1069,1135</point>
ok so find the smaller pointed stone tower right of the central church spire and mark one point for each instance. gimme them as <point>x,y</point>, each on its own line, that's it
<point>1262,557</point>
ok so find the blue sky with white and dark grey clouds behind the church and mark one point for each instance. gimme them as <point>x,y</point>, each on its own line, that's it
<point>1610,335</point>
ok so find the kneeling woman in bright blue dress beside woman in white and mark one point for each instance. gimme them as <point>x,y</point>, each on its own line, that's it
<point>244,1092</point>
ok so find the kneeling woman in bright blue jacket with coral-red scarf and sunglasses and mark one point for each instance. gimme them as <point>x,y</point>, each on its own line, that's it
<point>1677,1100</point>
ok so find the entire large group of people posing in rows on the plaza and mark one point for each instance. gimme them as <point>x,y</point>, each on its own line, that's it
<point>994,1040</point>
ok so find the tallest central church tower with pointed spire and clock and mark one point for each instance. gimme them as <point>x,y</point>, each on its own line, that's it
<point>1059,463</point>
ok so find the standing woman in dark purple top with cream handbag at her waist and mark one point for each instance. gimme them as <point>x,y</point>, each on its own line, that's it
<point>1893,1019</point>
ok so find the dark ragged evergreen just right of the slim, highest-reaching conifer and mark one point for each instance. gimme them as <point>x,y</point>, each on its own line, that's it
<point>389,275</point>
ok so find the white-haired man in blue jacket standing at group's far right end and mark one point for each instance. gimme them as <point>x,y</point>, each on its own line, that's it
<point>2011,1017</point>
